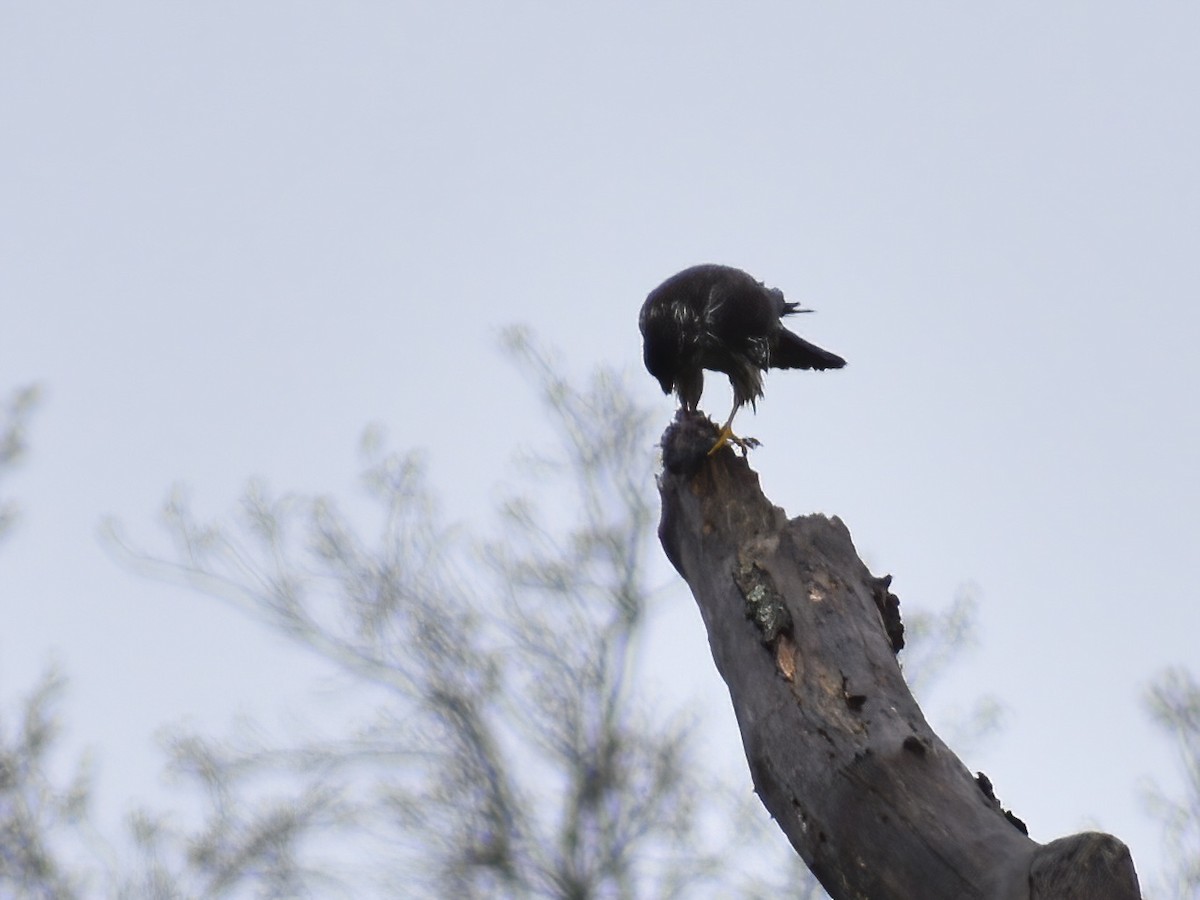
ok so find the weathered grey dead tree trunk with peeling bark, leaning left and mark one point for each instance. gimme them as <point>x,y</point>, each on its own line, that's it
<point>841,754</point>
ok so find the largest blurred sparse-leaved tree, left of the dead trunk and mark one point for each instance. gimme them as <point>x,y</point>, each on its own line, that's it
<point>511,751</point>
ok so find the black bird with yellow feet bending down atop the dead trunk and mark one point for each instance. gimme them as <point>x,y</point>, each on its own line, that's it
<point>721,319</point>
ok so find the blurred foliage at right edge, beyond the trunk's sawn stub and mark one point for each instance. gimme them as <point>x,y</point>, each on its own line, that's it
<point>1174,705</point>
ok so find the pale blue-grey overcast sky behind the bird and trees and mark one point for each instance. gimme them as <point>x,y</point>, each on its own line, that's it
<point>233,235</point>
